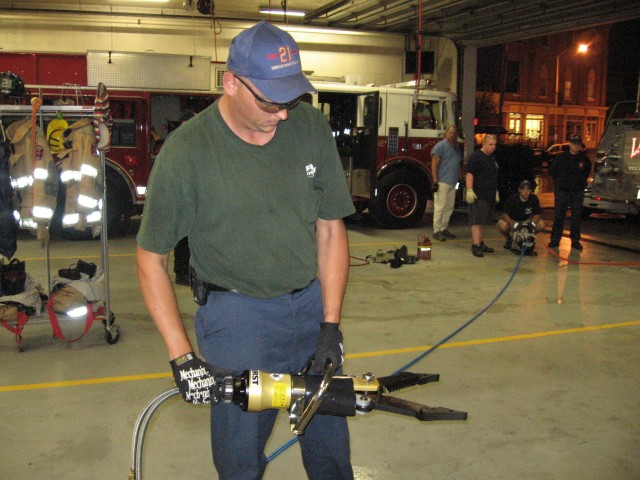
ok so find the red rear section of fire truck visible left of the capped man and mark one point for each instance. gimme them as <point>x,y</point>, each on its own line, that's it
<point>141,121</point>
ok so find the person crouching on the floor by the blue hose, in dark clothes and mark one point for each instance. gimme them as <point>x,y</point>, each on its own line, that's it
<point>521,207</point>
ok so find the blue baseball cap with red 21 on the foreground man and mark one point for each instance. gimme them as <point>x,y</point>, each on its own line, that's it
<point>270,58</point>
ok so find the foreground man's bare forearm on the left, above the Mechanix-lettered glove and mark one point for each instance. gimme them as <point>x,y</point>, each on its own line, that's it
<point>160,299</point>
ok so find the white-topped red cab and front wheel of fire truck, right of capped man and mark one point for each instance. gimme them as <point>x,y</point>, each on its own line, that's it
<point>385,136</point>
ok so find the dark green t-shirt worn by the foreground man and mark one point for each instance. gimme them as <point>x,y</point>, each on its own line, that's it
<point>249,211</point>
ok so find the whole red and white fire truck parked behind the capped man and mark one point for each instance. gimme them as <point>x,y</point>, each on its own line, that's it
<point>384,134</point>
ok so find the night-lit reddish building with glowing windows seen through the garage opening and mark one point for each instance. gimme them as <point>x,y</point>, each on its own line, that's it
<point>543,90</point>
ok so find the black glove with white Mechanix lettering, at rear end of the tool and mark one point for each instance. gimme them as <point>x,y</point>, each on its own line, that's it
<point>196,379</point>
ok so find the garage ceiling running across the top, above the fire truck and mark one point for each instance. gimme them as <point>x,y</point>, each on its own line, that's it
<point>470,22</point>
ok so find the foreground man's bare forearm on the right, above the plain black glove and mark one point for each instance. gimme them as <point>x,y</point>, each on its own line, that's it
<point>333,266</point>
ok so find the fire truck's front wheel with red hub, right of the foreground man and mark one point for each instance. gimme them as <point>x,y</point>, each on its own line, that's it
<point>401,201</point>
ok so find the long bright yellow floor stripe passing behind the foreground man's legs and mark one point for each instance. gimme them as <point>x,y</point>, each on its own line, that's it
<point>512,338</point>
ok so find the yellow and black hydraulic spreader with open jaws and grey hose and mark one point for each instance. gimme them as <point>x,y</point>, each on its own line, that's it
<point>304,396</point>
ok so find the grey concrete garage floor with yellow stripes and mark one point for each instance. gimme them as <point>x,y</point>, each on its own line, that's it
<point>550,373</point>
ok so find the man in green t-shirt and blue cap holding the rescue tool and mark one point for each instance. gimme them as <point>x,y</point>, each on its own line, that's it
<point>256,182</point>
